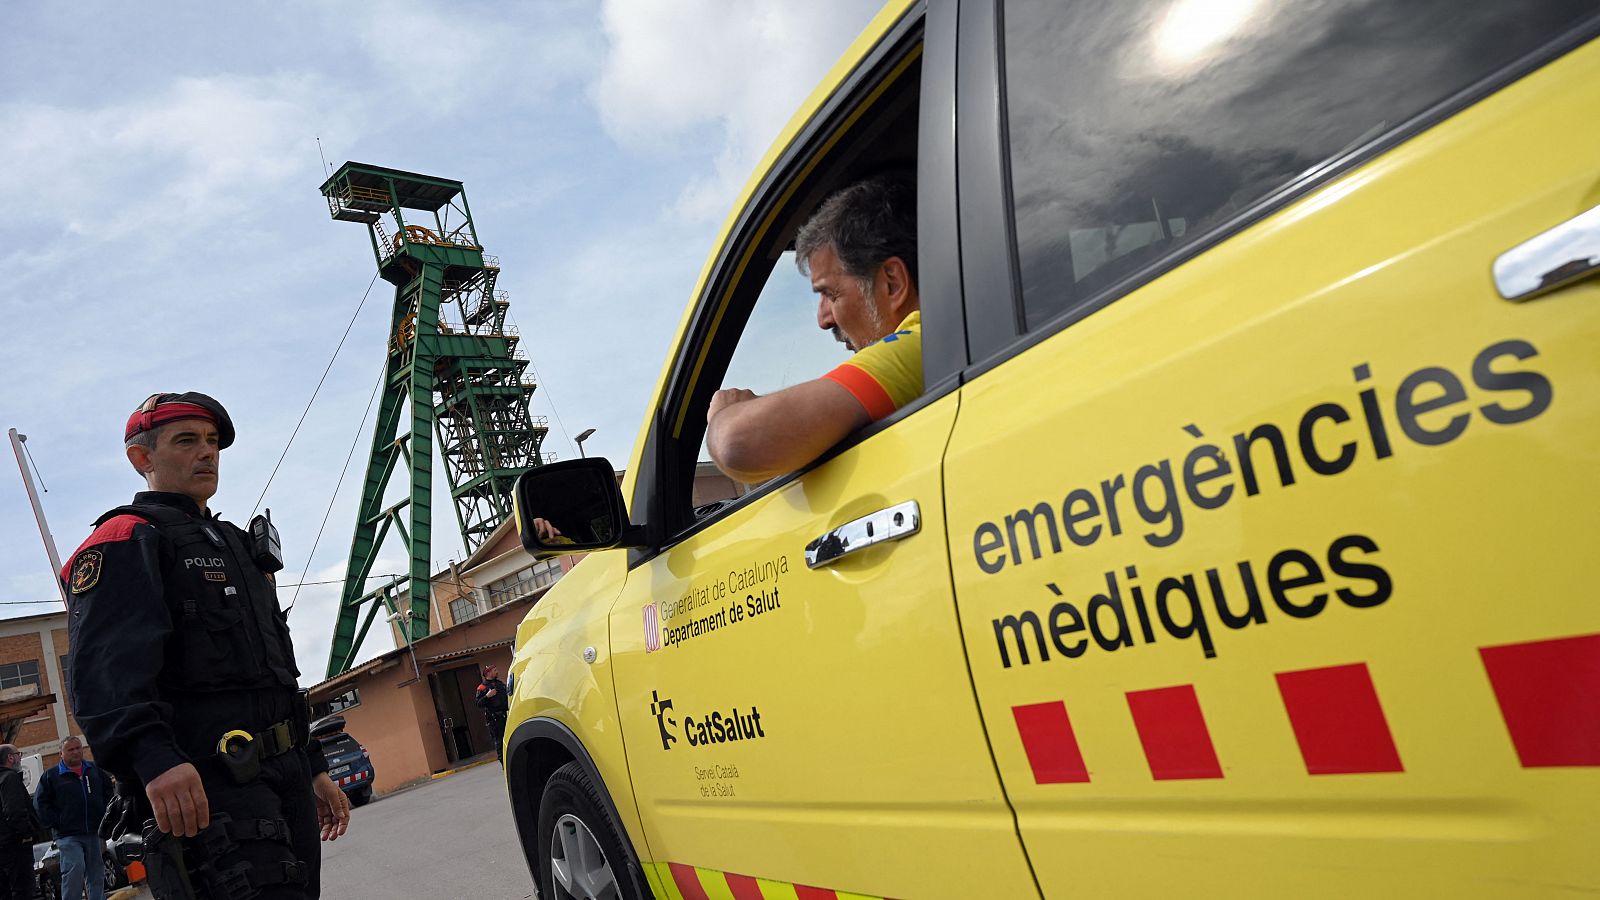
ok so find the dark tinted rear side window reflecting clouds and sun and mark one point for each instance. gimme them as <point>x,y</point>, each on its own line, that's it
<point>1140,127</point>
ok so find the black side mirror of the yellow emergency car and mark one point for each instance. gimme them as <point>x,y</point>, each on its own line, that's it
<point>572,507</point>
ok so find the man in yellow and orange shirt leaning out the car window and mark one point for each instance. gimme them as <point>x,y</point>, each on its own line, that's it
<point>860,251</point>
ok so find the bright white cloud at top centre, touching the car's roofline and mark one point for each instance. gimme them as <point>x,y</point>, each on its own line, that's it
<point>716,73</point>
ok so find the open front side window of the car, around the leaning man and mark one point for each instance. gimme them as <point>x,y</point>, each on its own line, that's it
<point>758,324</point>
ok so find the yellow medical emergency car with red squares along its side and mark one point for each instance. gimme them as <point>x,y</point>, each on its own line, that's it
<point>1242,542</point>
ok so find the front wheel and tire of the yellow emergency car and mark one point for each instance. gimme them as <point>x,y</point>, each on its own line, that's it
<point>582,853</point>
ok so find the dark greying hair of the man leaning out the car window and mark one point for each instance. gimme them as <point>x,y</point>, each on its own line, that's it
<point>866,225</point>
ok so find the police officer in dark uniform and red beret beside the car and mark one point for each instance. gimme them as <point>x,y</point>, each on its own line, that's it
<point>185,677</point>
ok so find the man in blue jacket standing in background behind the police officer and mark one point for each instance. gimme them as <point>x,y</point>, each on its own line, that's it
<point>71,800</point>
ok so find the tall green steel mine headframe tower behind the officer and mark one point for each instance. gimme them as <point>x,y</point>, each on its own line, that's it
<point>454,364</point>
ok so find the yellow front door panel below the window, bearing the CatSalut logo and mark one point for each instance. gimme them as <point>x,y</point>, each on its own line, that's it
<point>815,726</point>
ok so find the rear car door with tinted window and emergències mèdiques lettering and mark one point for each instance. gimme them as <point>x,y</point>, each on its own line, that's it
<point>1273,492</point>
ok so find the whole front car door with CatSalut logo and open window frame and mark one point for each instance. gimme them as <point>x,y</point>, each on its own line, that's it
<point>793,728</point>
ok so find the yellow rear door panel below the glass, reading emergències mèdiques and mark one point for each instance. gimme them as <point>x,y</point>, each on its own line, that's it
<point>1273,573</point>
